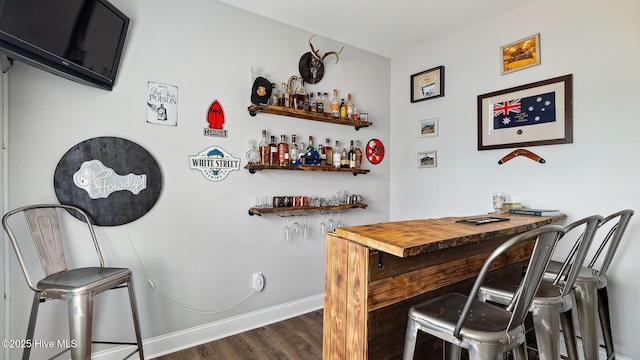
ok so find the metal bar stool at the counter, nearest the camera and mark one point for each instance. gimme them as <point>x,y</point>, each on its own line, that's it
<point>486,330</point>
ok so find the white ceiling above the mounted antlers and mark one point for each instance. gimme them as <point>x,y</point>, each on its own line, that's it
<point>383,27</point>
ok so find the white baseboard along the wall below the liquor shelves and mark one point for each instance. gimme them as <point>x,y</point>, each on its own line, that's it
<point>187,338</point>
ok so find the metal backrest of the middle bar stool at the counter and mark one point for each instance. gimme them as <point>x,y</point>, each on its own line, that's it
<point>570,269</point>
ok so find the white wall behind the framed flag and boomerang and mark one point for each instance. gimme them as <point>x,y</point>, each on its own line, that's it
<point>595,41</point>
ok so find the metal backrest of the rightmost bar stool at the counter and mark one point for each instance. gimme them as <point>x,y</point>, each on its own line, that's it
<point>612,239</point>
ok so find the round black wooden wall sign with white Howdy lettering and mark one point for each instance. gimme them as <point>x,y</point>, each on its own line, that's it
<point>115,180</point>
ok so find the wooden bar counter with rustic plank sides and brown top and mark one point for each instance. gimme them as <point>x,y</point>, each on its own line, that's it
<point>374,273</point>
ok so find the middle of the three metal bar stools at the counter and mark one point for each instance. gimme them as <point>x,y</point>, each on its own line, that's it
<point>554,300</point>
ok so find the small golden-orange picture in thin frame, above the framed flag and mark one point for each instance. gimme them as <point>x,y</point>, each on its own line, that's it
<point>520,54</point>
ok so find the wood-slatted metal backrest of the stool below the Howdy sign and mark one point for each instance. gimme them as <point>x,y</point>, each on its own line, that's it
<point>44,227</point>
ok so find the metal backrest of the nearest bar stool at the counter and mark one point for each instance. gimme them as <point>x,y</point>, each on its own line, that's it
<point>546,238</point>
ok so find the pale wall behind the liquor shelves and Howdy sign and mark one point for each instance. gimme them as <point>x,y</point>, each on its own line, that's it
<point>197,243</point>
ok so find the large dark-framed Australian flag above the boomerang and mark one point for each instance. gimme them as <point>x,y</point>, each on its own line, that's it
<point>539,113</point>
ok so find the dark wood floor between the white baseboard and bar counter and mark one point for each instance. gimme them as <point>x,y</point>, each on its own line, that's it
<point>296,338</point>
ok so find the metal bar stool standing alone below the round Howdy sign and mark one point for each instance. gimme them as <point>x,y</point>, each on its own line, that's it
<point>76,286</point>
